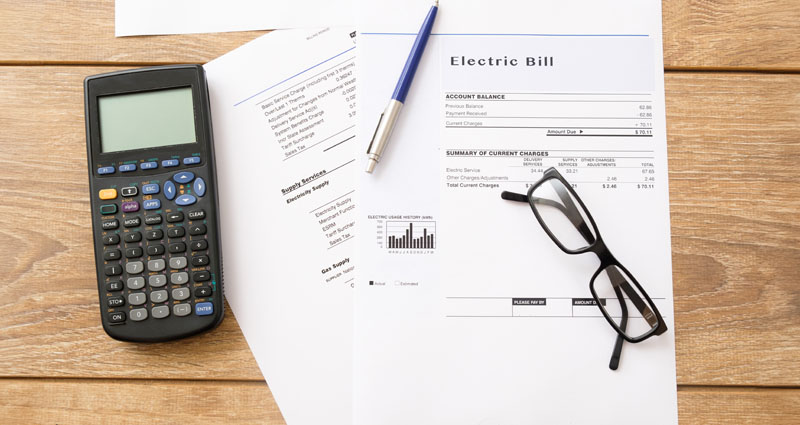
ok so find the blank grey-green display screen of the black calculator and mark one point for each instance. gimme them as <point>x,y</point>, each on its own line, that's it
<point>146,120</point>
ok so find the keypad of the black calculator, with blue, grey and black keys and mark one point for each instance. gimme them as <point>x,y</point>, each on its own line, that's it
<point>157,265</point>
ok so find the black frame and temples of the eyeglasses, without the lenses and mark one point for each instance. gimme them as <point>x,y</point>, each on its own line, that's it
<point>607,259</point>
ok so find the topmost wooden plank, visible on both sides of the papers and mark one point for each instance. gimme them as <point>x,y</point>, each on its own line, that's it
<point>757,34</point>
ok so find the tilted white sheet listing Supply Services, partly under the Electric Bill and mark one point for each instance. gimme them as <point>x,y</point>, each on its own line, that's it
<point>283,110</point>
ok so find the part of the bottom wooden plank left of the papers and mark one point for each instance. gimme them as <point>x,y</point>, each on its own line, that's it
<point>77,401</point>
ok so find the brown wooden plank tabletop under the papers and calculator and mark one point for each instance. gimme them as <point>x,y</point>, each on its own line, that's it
<point>733,110</point>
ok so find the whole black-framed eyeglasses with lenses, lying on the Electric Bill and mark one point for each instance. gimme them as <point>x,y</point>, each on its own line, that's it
<point>623,302</point>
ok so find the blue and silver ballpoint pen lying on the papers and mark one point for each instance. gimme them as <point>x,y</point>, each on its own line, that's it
<point>389,116</point>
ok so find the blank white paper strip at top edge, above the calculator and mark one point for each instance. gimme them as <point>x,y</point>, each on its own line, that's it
<point>152,17</point>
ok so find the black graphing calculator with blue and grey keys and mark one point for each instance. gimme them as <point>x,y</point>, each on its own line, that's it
<point>153,195</point>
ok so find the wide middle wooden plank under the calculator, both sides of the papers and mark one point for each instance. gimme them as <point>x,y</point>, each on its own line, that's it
<point>734,196</point>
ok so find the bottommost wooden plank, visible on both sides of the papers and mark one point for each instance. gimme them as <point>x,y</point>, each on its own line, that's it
<point>84,401</point>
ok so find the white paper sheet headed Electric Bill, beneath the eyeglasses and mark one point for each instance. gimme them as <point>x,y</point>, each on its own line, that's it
<point>439,339</point>
